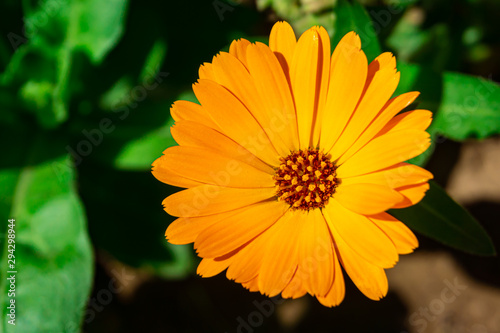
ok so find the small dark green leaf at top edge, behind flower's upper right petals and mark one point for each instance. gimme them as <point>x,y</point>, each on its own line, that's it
<point>353,17</point>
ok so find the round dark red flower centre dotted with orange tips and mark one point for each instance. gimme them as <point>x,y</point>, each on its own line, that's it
<point>306,179</point>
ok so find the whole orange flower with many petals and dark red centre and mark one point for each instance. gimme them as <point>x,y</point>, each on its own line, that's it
<point>290,163</point>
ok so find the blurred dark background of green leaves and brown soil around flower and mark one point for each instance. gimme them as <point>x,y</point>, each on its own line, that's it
<point>85,92</point>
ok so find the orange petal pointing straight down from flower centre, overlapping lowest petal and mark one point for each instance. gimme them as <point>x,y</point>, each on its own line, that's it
<point>316,258</point>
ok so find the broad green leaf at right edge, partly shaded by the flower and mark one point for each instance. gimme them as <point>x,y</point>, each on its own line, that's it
<point>463,106</point>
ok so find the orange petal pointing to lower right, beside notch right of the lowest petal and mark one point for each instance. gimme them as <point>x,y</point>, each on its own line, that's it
<point>369,278</point>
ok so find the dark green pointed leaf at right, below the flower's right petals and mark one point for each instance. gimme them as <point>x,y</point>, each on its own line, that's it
<point>439,217</point>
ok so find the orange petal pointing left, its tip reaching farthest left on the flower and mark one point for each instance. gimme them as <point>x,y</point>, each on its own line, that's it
<point>211,167</point>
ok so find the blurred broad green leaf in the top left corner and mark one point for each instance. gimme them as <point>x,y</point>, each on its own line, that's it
<point>45,66</point>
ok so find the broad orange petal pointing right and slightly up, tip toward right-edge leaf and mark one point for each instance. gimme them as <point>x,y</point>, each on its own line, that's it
<point>385,151</point>
